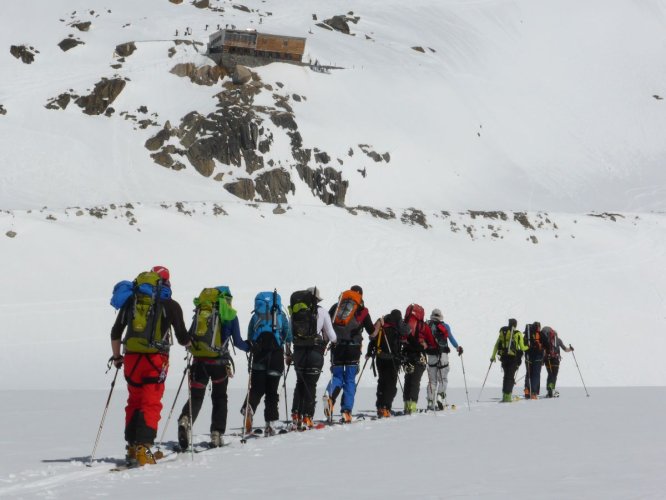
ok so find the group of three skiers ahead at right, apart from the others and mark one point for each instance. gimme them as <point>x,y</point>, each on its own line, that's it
<point>540,345</point>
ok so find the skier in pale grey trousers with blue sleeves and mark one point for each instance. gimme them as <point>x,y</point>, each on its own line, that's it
<point>438,359</point>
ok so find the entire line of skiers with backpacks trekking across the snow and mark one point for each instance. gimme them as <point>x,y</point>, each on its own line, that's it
<point>300,338</point>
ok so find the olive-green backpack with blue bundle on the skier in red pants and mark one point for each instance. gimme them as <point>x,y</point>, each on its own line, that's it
<point>144,327</point>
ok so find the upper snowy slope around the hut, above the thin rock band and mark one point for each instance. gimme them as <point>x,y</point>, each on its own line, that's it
<point>511,105</point>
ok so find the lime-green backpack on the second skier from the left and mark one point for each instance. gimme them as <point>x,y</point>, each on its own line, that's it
<point>211,313</point>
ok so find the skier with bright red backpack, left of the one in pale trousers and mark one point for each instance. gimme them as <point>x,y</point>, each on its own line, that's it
<point>414,360</point>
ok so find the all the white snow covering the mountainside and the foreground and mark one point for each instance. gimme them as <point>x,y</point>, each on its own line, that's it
<point>544,107</point>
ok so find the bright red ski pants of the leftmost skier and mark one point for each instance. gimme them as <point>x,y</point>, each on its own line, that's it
<point>145,375</point>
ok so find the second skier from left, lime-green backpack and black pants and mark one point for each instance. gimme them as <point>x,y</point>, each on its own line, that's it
<point>211,334</point>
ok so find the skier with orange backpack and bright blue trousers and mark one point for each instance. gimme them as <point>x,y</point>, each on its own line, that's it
<point>350,317</point>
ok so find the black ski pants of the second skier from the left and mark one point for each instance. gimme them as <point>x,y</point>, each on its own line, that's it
<point>214,370</point>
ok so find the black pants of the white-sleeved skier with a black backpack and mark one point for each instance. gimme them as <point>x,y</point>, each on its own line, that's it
<point>308,362</point>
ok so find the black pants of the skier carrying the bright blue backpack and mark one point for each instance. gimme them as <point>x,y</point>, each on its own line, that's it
<point>267,369</point>
